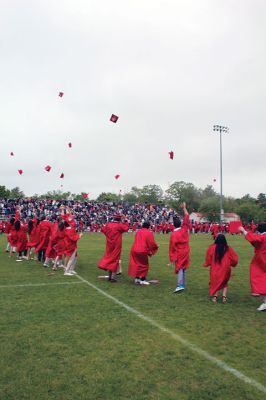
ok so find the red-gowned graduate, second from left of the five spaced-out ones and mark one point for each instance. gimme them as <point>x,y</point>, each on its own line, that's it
<point>144,246</point>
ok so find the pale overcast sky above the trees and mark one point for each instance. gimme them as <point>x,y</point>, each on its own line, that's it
<point>169,69</point>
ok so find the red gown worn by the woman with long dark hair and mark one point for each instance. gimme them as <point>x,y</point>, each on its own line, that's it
<point>220,272</point>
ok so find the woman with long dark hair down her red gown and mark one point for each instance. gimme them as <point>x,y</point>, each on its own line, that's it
<point>220,257</point>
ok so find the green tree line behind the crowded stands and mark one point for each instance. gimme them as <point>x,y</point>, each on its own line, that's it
<point>205,201</point>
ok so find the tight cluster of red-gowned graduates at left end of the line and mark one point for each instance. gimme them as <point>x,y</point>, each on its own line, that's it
<point>50,241</point>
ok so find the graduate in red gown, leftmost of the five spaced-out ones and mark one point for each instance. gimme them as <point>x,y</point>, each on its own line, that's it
<point>113,232</point>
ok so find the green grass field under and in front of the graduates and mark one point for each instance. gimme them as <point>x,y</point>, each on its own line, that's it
<point>63,339</point>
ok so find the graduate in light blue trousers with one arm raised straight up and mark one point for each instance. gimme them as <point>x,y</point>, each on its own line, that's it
<point>179,249</point>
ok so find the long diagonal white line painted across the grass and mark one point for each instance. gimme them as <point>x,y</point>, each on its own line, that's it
<point>221,364</point>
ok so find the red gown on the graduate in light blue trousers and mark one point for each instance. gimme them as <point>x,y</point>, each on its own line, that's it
<point>179,246</point>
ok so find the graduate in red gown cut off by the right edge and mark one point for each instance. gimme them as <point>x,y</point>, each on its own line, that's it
<point>258,262</point>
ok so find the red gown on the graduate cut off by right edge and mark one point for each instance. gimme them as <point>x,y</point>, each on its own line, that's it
<point>258,263</point>
